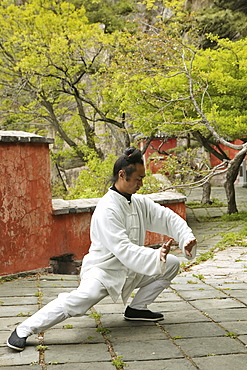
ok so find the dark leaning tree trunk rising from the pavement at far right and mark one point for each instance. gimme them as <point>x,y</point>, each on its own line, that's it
<point>231,176</point>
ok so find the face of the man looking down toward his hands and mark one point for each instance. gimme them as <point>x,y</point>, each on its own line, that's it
<point>133,183</point>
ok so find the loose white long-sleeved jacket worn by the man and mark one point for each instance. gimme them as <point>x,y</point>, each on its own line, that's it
<point>117,256</point>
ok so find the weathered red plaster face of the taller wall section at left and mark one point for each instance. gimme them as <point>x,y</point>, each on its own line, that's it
<point>25,206</point>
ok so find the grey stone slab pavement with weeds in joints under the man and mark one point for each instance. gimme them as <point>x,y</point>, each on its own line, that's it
<point>205,325</point>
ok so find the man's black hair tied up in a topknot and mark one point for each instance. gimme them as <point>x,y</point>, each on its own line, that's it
<point>127,162</point>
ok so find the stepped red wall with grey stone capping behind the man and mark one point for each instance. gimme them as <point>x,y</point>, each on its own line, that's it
<point>35,228</point>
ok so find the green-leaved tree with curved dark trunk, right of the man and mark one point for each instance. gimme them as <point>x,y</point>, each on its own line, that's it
<point>165,83</point>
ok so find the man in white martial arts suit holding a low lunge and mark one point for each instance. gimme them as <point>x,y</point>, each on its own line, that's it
<point>117,261</point>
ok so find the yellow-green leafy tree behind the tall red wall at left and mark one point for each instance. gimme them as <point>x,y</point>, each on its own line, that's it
<point>49,57</point>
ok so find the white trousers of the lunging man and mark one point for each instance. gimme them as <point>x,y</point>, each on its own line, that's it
<point>89,293</point>
